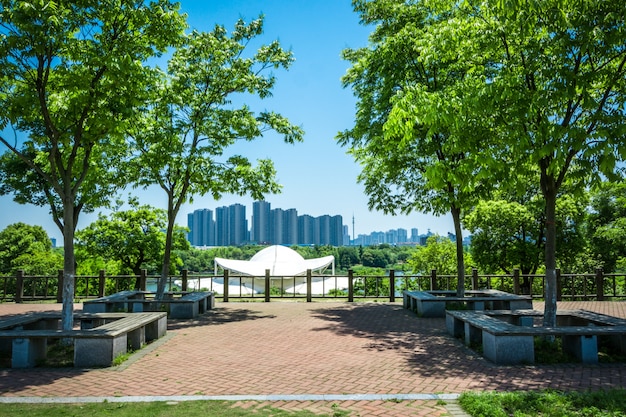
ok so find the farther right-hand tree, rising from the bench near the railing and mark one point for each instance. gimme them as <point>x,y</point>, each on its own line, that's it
<point>419,150</point>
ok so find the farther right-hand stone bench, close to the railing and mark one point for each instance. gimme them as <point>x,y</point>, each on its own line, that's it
<point>433,303</point>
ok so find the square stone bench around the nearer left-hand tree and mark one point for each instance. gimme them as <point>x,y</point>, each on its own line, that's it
<point>102,337</point>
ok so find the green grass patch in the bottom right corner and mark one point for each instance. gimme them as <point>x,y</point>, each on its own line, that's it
<point>547,403</point>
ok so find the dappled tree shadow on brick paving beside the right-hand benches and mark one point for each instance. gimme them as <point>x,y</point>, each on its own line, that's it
<point>427,351</point>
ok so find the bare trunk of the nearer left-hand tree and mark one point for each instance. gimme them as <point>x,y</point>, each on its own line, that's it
<point>69,267</point>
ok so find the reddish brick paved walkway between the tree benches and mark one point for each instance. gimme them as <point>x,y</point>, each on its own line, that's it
<point>297,350</point>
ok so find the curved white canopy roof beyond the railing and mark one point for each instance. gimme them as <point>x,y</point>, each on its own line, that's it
<point>280,260</point>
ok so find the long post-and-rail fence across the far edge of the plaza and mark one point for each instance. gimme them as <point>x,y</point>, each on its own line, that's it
<point>597,286</point>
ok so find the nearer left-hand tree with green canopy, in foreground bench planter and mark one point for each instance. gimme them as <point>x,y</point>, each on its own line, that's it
<point>71,74</point>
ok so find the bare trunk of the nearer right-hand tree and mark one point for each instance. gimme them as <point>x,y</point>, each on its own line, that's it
<point>549,190</point>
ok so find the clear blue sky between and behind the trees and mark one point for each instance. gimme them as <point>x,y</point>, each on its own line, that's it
<point>317,175</point>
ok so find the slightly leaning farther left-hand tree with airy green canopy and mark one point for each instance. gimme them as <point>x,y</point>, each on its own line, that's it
<point>191,121</point>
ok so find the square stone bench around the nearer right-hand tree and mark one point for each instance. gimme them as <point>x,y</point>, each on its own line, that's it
<point>504,342</point>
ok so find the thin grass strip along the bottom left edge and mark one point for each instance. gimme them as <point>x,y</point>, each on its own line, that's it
<point>152,409</point>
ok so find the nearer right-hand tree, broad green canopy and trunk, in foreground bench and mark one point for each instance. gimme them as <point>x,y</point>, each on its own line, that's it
<point>543,82</point>
